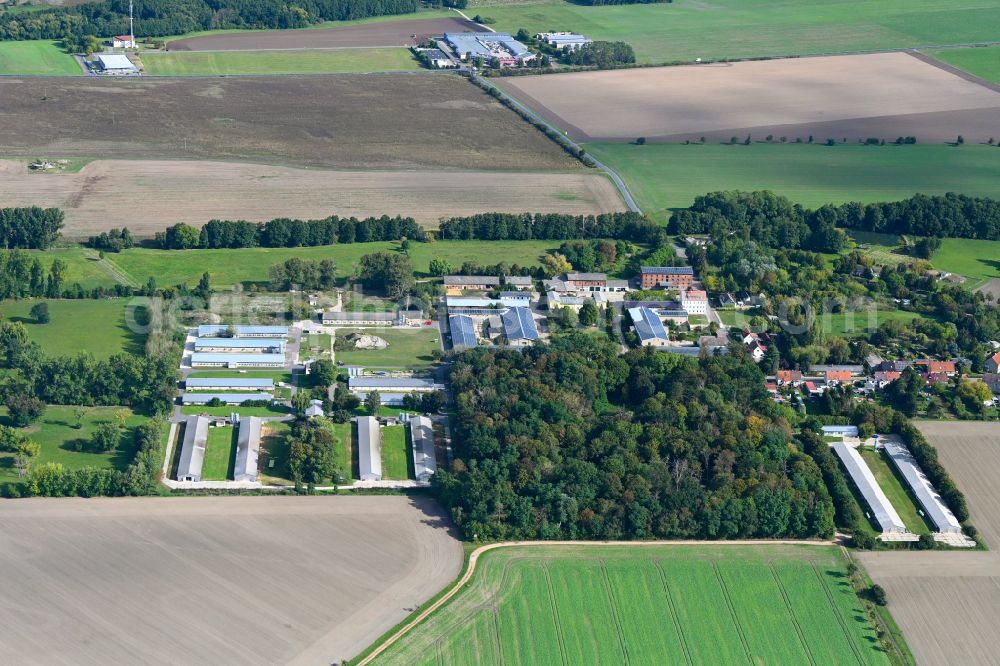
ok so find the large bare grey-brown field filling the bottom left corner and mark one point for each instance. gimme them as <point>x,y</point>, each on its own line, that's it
<point>222,580</point>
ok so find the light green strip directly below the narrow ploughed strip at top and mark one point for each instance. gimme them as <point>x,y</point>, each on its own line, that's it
<point>320,61</point>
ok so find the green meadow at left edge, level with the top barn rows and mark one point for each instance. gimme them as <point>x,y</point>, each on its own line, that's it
<point>99,327</point>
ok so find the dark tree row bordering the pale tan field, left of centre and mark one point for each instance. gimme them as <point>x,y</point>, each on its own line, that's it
<point>285,232</point>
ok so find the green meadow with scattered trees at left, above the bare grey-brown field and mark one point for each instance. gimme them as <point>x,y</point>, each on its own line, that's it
<point>55,431</point>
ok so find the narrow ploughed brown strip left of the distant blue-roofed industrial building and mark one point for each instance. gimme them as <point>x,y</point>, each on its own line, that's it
<point>389,33</point>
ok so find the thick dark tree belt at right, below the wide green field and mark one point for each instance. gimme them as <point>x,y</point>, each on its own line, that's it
<point>775,221</point>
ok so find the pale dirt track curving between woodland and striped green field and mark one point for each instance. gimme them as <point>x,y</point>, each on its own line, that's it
<point>475,555</point>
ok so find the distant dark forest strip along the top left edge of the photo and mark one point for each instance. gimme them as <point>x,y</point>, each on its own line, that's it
<point>158,18</point>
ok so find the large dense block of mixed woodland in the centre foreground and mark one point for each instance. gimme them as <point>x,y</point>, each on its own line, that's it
<point>575,441</point>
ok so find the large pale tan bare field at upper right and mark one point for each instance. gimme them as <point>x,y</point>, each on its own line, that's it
<point>882,95</point>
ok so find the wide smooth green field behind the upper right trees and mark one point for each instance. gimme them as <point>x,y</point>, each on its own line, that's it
<point>662,176</point>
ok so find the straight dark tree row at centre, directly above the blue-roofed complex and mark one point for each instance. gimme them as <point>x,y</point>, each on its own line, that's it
<point>551,226</point>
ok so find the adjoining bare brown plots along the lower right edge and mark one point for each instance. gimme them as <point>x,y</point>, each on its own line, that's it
<point>948,603</point>
